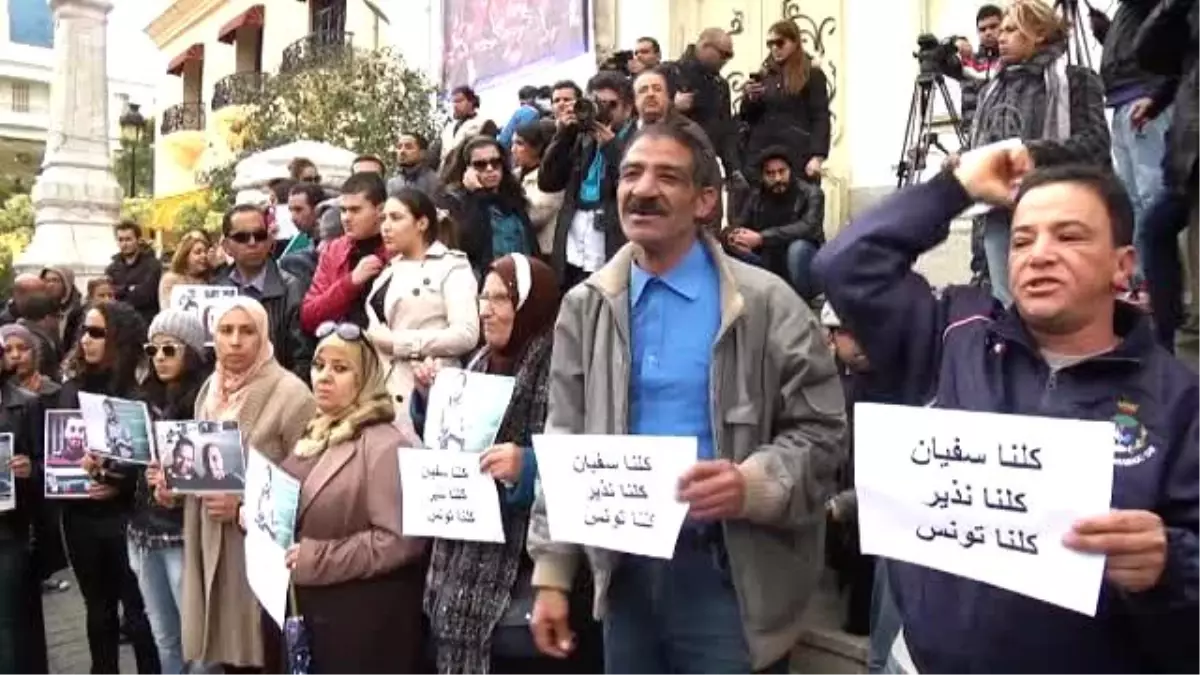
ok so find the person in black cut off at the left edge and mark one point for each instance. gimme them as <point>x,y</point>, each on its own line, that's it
<point>22,628</point>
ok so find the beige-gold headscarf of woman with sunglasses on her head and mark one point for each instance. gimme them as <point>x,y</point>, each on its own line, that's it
<point>371,407</point>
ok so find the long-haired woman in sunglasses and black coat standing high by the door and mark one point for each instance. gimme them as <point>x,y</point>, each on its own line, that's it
<point>788,104</point>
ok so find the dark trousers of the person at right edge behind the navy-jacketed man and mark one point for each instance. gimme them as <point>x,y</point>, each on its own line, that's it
<point>1162,225</point>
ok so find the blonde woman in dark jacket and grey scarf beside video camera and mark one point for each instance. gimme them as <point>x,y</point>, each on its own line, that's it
<point>1039,97</point>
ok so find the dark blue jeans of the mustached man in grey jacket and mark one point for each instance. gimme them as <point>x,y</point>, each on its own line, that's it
<point>677,617</point>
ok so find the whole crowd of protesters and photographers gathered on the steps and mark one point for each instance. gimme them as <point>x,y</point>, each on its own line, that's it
<point>561,249</point>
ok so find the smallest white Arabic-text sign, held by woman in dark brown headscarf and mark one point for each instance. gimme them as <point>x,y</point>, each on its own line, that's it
<point>445,495</point>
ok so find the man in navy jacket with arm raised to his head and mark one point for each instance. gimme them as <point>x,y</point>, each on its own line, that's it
<point>1067,349</point>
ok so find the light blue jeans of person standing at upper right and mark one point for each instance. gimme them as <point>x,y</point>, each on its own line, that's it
<point>1138,160</point>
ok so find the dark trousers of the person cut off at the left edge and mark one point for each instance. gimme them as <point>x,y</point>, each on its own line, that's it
<point>22,624</point>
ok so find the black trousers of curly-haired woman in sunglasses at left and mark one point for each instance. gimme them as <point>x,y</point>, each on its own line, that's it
<point>99,554</point>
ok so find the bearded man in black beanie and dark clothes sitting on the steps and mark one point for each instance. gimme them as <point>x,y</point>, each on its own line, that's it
<point>782,223</point>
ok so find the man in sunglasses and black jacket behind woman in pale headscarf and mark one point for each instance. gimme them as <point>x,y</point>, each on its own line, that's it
<point>256,274</point>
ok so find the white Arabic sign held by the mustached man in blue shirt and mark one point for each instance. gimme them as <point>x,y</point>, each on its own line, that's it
<point>615,493</point>
